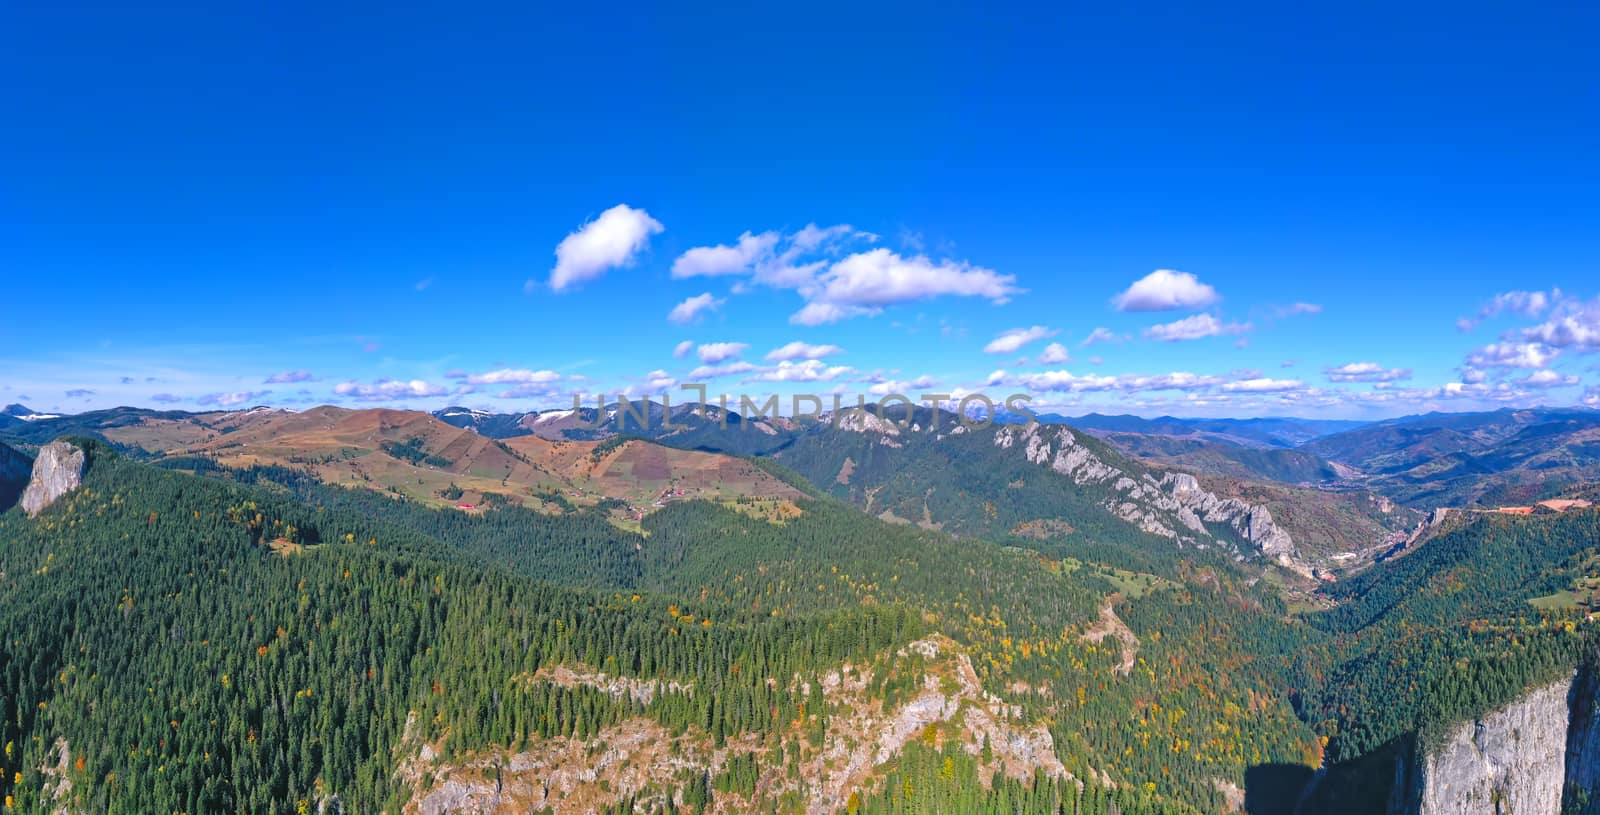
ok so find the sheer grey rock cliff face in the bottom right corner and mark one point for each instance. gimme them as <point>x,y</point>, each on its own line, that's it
<point>1537,757</point>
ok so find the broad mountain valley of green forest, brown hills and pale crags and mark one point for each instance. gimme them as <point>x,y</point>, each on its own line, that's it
<point>866,617</point>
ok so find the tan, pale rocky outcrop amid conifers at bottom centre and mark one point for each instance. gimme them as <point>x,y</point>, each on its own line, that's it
<point>642,760</point>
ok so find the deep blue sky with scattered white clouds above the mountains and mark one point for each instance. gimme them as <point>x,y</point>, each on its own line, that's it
<point>1338,212</point>
